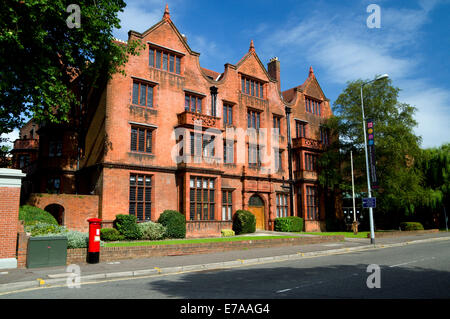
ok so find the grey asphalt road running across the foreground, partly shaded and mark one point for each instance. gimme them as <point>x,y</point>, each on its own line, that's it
<point>412,271</point>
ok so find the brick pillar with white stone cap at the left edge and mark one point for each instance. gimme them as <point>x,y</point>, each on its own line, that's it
<point>10,182</point>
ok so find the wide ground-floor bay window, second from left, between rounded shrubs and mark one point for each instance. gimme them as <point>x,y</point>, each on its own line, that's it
<point>202,198</point>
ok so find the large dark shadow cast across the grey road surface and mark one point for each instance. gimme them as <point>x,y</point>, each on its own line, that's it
<point>343,281</point>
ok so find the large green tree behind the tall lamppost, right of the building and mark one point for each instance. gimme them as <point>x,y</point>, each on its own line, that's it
<point>396,148</point>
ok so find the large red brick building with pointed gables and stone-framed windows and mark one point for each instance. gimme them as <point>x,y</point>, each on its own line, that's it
<point>173,135</point>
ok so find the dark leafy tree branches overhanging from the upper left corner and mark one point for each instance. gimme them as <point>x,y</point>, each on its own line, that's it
<point>41,54</point>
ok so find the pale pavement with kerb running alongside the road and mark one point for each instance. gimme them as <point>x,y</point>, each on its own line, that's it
<point>19,279</point>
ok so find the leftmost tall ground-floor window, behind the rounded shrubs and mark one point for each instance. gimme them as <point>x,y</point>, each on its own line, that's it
<point>140,196</point>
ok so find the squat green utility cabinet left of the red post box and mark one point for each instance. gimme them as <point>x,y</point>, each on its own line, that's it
<point>47,251</point>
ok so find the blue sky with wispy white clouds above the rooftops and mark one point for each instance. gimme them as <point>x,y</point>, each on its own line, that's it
<point>412,44</point>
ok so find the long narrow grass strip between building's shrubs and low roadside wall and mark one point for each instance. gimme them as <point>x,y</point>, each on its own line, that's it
<point>190,241</point>
